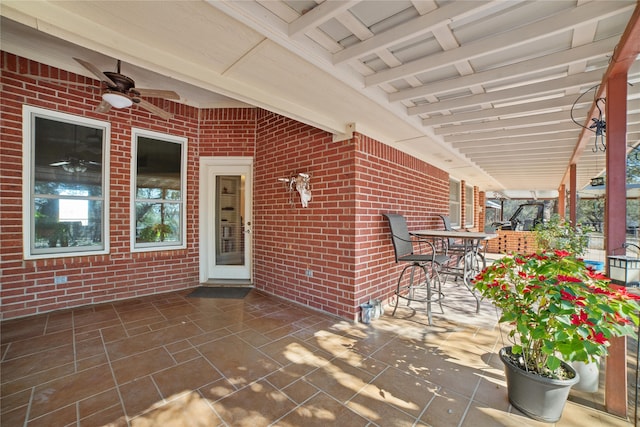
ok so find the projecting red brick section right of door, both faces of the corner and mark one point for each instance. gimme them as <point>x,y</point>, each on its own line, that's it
<point>341,237</point>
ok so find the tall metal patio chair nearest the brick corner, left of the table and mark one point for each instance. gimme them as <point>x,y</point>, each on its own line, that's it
<point>408,248</point>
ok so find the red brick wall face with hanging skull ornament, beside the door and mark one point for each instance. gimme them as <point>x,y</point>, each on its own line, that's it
<point>290,239</point>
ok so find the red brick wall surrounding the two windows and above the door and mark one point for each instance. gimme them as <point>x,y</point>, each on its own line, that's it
<point>27,286</point>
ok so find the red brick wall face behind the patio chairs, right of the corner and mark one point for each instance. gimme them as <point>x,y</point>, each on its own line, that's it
<point>389,180</point>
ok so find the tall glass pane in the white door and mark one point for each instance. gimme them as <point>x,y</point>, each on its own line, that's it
<point>230,220</point>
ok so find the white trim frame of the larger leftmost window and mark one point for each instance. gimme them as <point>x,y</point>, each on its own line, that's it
<point>28,114</point>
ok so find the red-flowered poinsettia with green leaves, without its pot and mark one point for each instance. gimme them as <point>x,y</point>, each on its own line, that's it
<point>559,308</point>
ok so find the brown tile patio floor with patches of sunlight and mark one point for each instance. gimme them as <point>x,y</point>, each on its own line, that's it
<point>172,360</point>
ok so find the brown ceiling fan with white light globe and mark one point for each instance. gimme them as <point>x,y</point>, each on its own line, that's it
<point>122,92</point>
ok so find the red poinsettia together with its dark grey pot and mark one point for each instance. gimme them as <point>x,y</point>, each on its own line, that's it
<point>560,310</point>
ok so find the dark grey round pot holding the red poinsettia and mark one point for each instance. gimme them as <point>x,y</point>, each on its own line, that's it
<point>538,397</point>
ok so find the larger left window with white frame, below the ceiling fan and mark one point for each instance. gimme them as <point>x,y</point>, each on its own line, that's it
<point>65,184</point>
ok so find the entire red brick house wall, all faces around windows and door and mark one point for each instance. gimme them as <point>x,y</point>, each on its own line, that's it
<point>341,238</point>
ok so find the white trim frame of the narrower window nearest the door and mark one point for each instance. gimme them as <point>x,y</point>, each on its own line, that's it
<point>135,133</point>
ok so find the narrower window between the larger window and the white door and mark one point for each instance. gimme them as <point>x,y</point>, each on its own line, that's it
<point>159,189</point>
